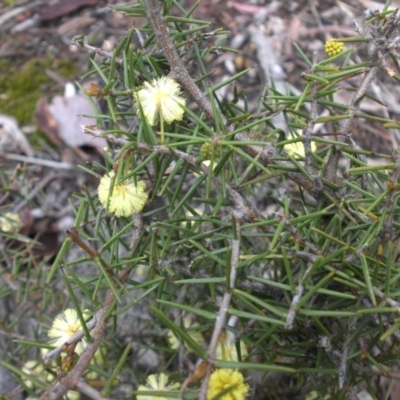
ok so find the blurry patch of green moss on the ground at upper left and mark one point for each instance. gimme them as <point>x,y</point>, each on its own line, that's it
<point>23,87</point>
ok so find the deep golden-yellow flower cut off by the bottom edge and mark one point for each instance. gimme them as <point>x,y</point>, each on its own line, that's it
<point>228,381</point>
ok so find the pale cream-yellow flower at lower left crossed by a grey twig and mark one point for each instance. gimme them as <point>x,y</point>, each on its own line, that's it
<point>64,327</point>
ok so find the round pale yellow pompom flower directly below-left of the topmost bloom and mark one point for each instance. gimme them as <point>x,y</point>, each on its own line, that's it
<point>125,198</point>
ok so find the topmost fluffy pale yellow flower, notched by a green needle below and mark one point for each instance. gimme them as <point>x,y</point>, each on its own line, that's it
<point>161,99</point>
